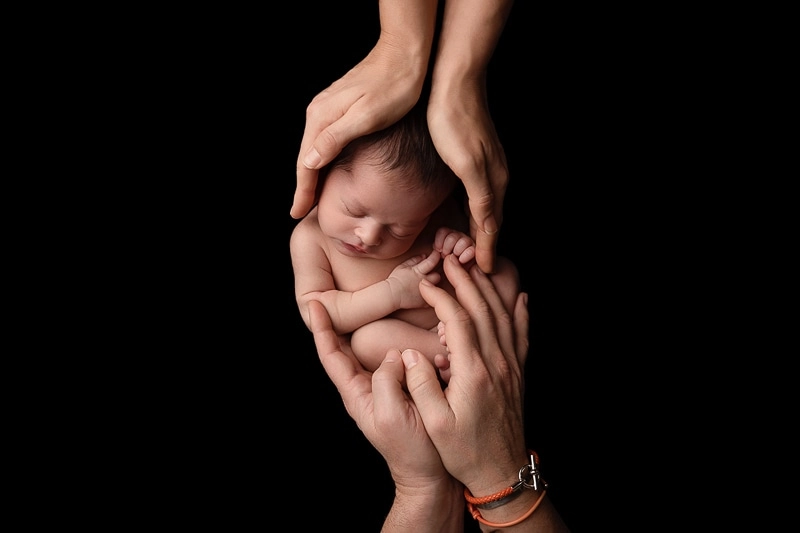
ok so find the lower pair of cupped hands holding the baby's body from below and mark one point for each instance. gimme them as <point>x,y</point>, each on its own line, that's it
<point>473,429</point>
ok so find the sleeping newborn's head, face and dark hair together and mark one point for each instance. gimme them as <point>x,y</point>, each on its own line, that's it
<point>379,194</point>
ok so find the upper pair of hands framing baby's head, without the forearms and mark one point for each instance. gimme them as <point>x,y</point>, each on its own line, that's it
<point>376,93</point>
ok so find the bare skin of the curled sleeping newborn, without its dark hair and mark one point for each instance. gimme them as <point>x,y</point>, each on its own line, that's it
<point>362,252</point>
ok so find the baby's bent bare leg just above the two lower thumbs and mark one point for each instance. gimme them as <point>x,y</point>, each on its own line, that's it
<point>371,341</point>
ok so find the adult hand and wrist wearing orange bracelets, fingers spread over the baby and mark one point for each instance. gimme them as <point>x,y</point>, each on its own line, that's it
<point>476,422</point>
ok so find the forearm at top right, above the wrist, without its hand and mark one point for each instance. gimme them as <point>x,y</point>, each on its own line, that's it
<point>469,35</point>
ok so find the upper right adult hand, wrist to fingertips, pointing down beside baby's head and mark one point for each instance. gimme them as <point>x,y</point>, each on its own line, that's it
<point>465,137</point>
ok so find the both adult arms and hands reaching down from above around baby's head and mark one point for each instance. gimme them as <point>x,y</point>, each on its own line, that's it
<point>388,82</point>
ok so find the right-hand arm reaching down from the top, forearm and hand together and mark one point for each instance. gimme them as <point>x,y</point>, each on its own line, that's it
<point>459,119</point>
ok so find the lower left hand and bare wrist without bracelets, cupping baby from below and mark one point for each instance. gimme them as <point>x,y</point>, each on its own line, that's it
<point>426,496</point>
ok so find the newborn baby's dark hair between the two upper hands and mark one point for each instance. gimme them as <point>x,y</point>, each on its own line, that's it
<point>405,146</point>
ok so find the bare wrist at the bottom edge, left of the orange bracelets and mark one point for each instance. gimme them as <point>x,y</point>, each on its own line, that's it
<point>435,509</point>
